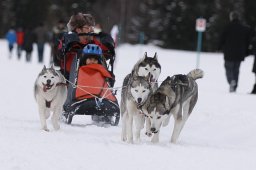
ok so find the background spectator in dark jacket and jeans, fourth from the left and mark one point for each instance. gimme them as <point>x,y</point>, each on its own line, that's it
<point>41,38</point>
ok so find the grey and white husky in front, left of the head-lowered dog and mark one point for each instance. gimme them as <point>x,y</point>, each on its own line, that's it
<point>135,93</point>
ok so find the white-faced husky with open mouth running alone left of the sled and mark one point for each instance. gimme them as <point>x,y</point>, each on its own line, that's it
<point>50,92</point>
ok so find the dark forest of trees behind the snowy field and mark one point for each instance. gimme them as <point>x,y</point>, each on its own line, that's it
<point>165,23</point>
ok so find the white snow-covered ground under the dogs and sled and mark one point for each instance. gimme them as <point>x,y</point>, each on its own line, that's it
<point>219,135</point>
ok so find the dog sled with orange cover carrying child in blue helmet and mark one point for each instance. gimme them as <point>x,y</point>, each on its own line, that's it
<point>90,87</point>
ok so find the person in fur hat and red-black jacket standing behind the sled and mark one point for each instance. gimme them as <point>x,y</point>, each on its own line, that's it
<point>82,26</point>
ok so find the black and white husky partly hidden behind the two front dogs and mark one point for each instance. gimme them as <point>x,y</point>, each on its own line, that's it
<point>145,66</point>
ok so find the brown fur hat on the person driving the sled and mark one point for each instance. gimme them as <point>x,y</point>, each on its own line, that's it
<point>79,20</point>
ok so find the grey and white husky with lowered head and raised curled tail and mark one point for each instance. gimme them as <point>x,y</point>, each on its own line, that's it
<point>177,96</point>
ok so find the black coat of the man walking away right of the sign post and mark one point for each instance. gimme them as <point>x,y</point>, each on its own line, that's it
<point>235,41</point>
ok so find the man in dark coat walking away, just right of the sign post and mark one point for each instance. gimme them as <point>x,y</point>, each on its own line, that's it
<point>234,43</point>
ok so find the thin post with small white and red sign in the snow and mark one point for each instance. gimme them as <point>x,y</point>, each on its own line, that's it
<point>200,28</point>
